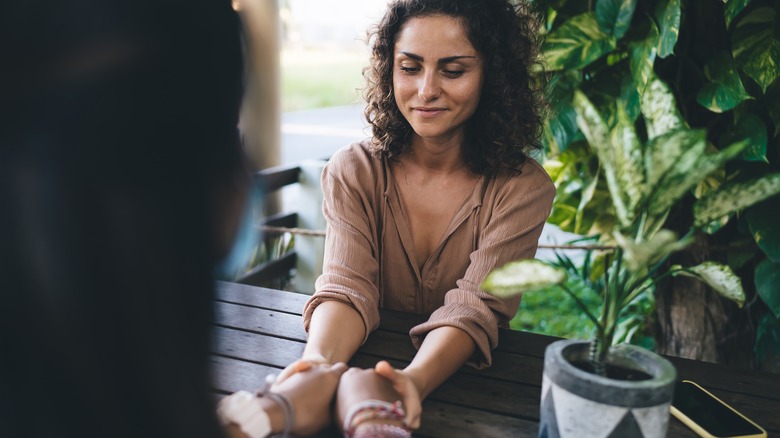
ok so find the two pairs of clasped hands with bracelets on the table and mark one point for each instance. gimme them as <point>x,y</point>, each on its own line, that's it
<point>310,393</point>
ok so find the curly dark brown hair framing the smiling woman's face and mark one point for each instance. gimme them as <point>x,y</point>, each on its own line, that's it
<point>508,120</point>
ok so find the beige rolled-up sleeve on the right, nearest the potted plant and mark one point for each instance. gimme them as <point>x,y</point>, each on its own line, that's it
<point>511,230</point>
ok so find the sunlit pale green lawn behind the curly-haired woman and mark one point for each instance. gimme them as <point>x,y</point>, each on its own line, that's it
<point>317,79</point>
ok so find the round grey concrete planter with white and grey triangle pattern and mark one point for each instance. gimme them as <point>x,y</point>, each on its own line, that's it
<point>576,403</point>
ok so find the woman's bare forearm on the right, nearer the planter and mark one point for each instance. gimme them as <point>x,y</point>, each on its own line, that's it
<point>441,354</point>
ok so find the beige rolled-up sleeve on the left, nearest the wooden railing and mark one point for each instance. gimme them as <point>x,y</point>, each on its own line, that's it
<point>350,269</point>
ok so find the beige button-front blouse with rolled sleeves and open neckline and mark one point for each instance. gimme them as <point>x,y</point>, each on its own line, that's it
<point>369,253</point>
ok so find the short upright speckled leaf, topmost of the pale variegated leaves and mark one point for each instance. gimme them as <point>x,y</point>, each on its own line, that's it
<point>660,109</point>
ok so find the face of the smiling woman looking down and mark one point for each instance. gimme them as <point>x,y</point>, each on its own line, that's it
<point>437,76</point>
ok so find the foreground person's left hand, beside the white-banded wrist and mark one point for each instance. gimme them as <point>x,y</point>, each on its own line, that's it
<point>310,390</point>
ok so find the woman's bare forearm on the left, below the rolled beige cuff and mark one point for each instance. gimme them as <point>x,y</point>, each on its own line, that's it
<point>335,332</point>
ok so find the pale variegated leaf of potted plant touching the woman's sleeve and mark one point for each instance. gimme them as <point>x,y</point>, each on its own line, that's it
<point>521,276</point>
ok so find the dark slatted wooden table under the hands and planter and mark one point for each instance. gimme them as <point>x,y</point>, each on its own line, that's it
<point>259,331</point>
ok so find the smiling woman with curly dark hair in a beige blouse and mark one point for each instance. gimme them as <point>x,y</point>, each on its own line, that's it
<point>442,193</point>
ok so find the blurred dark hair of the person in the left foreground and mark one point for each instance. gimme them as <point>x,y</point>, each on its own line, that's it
<point>118,149</point>
